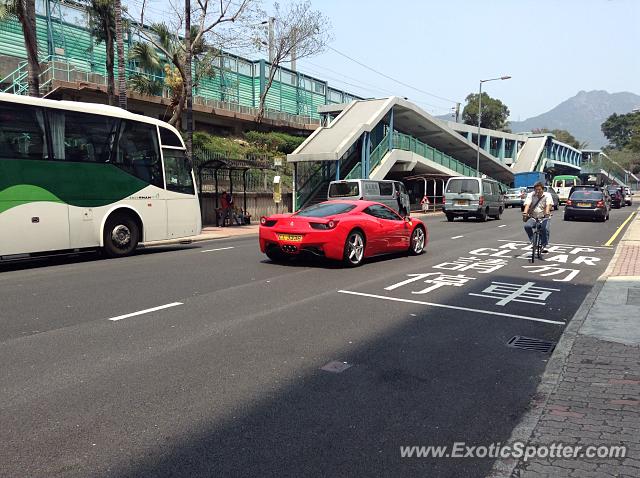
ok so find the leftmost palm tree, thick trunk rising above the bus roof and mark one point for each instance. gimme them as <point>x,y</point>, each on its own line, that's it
<point>25,12</point>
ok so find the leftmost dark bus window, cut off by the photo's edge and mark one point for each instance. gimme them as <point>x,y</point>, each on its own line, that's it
<point>22,132</point>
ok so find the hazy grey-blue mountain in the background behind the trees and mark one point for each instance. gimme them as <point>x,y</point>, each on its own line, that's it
<point>582,115</point>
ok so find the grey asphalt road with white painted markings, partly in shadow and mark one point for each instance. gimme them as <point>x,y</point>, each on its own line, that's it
<point>226,380</point>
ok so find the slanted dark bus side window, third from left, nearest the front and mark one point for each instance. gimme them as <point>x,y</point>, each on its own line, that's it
<point>138,152</point>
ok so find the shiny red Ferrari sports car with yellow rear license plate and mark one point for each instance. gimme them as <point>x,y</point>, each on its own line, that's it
<point>349,231</point>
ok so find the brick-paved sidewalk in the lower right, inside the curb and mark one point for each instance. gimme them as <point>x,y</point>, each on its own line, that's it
<point>590,392</point>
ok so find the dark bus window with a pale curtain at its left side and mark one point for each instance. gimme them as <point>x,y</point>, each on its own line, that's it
<point>81,136</point>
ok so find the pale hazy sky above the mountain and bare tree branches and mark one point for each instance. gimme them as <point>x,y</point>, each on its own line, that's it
<point>551,48</point>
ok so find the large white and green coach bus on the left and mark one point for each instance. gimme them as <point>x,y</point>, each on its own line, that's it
<point>80,175</point>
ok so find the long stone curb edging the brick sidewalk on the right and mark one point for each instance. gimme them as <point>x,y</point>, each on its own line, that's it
<point>504,467</point>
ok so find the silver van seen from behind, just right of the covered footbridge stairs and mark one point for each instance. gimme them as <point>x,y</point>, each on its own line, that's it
<point>467,196</point>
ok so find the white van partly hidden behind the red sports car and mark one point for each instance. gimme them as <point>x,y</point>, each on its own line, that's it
<point>387,192</point>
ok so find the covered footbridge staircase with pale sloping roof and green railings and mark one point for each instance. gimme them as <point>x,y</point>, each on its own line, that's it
<point>382,138</point>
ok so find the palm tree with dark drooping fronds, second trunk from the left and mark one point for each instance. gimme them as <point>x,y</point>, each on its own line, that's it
<point>103,26</point>
